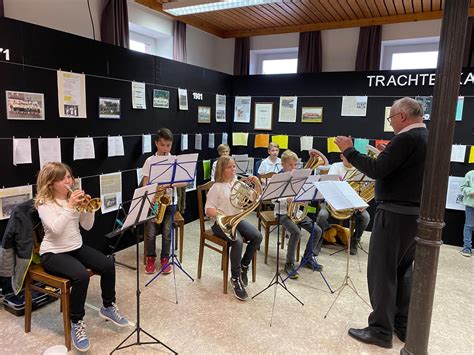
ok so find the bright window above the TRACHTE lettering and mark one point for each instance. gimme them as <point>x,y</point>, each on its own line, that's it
<point>419,53</point>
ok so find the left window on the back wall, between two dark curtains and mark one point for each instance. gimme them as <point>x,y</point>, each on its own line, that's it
<point>274,61</point>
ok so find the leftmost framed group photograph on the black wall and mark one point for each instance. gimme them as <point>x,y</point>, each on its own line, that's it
<point>25,106</point>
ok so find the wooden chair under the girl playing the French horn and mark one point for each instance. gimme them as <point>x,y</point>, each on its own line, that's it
<point>218,244</point>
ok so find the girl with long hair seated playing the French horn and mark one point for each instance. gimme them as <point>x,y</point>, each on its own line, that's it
<point>218,199</point>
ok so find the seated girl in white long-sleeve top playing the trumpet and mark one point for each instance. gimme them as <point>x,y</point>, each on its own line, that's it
<point>63,252</point>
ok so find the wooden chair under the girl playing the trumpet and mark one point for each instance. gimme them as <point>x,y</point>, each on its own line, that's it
<point>37,273</point>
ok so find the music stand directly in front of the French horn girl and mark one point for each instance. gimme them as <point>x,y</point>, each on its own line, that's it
<point>282,186</point>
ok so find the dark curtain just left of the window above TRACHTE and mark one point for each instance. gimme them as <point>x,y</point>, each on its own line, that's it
<point>368,50</point>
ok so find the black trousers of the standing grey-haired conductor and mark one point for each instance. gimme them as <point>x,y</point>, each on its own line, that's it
<point>389,270</point>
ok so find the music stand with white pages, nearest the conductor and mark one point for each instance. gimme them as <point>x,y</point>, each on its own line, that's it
<point>341,196</point>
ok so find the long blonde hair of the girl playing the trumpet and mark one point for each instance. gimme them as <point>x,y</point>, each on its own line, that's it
<point>50,173</point>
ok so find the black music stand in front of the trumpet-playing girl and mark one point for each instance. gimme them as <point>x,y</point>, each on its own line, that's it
<point>137,214</point>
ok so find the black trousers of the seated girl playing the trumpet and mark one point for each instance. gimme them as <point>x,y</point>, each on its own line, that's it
<point>73,265</point>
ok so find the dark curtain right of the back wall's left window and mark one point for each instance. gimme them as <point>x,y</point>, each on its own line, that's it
<point>310,52</point>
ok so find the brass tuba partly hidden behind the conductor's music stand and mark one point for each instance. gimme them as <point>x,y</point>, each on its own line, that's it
<point>365,189</point>
